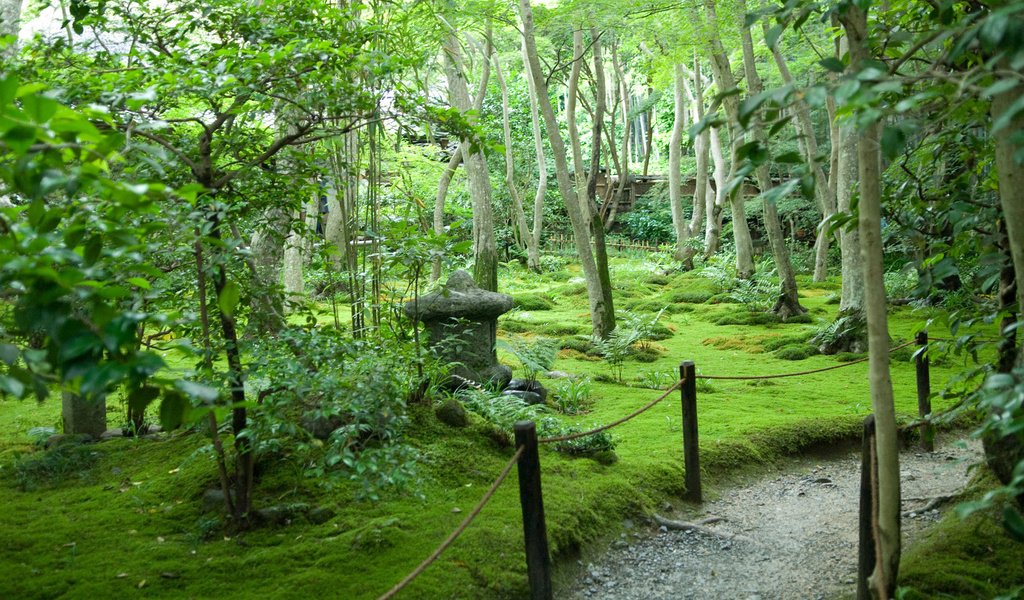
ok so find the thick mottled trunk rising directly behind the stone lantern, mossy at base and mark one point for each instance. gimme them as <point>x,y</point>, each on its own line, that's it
<point>485,246</point>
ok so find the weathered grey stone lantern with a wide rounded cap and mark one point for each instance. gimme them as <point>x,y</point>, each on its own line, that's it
<point>462,323</point>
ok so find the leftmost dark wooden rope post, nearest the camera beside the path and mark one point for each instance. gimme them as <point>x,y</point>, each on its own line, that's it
<point>534,530</point>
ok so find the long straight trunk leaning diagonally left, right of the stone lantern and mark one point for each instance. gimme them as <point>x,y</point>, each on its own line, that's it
<point>599,310</point>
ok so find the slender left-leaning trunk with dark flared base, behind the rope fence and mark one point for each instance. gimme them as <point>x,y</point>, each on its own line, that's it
<point>788,304</point>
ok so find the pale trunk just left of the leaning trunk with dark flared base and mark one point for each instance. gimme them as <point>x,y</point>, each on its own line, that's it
<point>727,82</point>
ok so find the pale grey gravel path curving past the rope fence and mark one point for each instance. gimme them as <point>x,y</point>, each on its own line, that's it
<point>797,528</point>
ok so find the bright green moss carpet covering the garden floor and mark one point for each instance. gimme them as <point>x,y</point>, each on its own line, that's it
<point>126,517</point>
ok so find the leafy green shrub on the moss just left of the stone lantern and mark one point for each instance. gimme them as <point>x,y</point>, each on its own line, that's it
<point>355,392</point>
